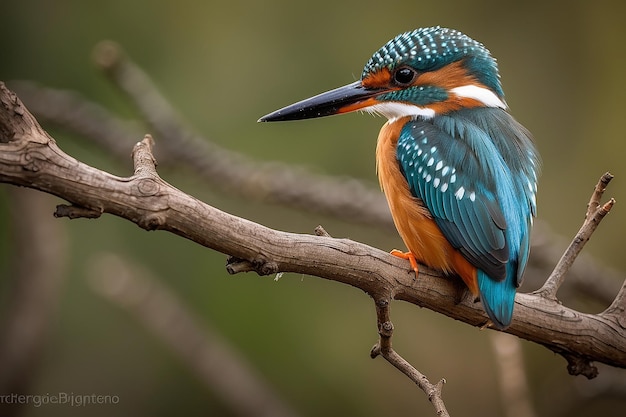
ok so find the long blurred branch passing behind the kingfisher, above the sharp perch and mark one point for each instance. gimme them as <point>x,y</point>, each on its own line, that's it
<point>88,120</point>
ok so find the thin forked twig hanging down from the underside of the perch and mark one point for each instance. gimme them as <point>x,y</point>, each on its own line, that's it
<point>385,349</point>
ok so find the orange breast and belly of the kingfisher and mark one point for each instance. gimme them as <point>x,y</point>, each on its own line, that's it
<point>415,225</point>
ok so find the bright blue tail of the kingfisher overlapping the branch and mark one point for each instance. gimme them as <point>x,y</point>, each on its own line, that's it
<point>498,297</point>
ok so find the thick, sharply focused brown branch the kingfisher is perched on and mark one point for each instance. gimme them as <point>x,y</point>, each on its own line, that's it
<point>30,157</point>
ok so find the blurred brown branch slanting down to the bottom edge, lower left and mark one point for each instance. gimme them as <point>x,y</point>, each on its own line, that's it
<point>215,362</point>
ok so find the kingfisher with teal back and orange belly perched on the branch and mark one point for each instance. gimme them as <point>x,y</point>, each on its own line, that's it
<point>458,171</point>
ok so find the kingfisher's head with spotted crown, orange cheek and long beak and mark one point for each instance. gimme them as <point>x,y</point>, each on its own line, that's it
<point>426,72</point>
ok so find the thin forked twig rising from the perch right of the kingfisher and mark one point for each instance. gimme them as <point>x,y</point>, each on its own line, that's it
<point>595,214</point>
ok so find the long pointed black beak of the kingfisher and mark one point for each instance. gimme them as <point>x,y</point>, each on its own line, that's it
<point>340,100</point>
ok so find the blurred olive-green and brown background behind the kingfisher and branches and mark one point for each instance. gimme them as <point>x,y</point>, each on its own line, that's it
<point>222,65</point>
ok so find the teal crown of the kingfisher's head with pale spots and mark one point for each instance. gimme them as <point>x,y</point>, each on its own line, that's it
<point>428,49</point>
